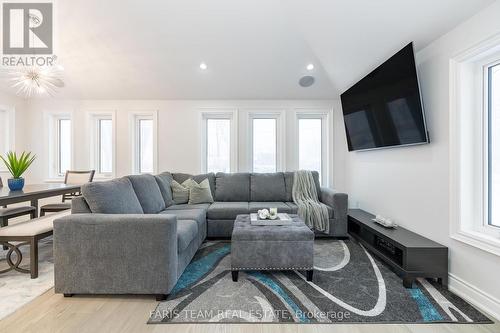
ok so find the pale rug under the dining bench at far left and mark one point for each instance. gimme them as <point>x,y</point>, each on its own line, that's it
<point>18,289</point>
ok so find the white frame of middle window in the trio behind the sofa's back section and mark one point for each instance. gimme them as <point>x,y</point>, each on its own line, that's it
<point>279,116</point>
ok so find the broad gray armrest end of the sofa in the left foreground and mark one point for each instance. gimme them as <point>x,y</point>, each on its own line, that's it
<point>115,254</point>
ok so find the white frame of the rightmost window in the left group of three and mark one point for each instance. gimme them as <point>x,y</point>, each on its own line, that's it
<point>135,119</point>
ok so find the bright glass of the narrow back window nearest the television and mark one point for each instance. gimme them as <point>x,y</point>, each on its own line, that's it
<point>310,144</point>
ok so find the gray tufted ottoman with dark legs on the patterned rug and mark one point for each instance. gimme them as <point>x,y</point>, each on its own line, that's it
<point>289,247</point>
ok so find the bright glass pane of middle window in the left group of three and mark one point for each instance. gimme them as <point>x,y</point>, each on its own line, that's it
<point>105,146</point>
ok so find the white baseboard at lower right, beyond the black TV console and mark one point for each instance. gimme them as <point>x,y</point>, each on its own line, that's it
<point>489,304</point>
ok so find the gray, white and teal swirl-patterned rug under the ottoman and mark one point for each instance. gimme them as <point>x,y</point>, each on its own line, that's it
<point>349,286</point>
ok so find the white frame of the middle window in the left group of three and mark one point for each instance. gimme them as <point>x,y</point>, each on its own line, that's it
<point>94,122</point>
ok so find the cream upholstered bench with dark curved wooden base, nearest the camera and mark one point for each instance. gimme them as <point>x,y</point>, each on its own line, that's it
<point>28,233</point>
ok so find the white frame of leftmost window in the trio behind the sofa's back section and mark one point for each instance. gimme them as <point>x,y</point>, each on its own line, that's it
<point>218,113</point>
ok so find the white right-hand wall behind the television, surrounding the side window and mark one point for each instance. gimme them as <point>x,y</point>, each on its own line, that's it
<point>412,184</point>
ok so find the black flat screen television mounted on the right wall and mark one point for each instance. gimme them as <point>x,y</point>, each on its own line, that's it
<point>384,109</point>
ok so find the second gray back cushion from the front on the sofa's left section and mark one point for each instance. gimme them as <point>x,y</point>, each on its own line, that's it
<point>149,194</point>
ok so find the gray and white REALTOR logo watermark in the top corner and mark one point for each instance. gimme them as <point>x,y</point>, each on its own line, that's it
<point>28,29</point>
